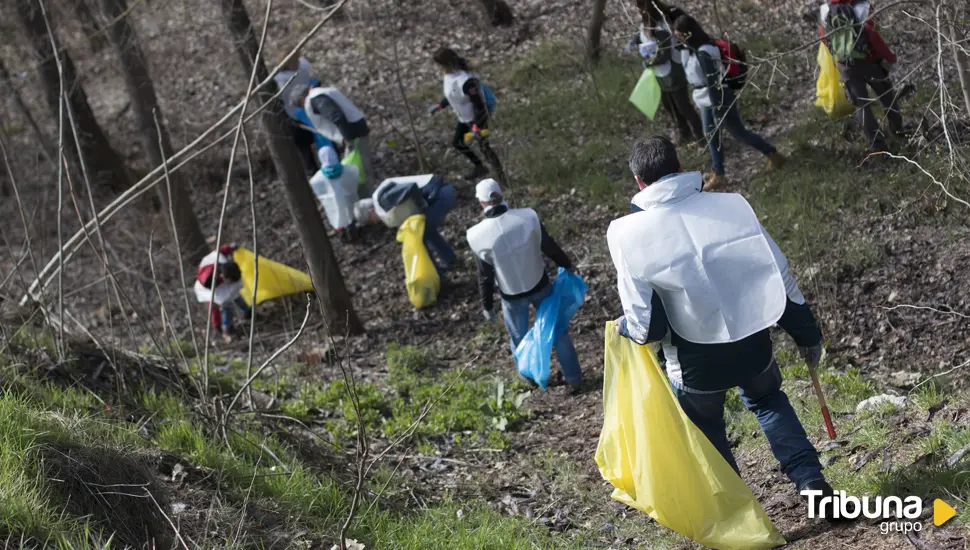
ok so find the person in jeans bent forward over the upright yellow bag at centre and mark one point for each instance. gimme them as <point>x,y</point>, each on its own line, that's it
<point>397,199</point>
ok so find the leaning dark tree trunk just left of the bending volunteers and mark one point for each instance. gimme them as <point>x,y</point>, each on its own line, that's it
<point>324,271</point>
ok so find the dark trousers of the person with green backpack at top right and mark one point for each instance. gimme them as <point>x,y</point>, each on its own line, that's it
<point>858,79</point>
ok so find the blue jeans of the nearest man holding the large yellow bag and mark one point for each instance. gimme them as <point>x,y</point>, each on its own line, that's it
<point>762,395</point>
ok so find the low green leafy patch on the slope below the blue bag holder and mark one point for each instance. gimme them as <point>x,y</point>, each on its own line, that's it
<point>466,406</point>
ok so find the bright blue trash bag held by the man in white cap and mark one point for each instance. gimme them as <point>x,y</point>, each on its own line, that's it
<point>533,355</point>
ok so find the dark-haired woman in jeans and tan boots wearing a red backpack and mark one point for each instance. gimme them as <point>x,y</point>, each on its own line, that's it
<point>716,101</point>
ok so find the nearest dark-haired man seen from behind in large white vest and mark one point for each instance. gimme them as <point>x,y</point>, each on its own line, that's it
<point>697,272</point>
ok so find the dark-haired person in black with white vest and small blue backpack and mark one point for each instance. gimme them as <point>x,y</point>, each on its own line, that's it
<point>466,96</point>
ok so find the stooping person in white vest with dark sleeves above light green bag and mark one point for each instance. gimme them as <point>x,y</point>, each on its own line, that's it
<point>340,121</point>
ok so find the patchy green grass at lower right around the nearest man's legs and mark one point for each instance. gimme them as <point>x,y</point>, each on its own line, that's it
<point>886,450</point>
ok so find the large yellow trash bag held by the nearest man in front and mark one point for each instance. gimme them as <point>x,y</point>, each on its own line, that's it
<point>663,465</point>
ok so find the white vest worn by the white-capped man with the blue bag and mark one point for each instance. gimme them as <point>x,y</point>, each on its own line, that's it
<point>512,244</point>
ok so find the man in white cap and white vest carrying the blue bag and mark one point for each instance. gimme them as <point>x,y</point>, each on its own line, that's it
<point>508,246</point>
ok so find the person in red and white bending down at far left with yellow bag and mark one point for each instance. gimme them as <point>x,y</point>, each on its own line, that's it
<point>218,280</point>
